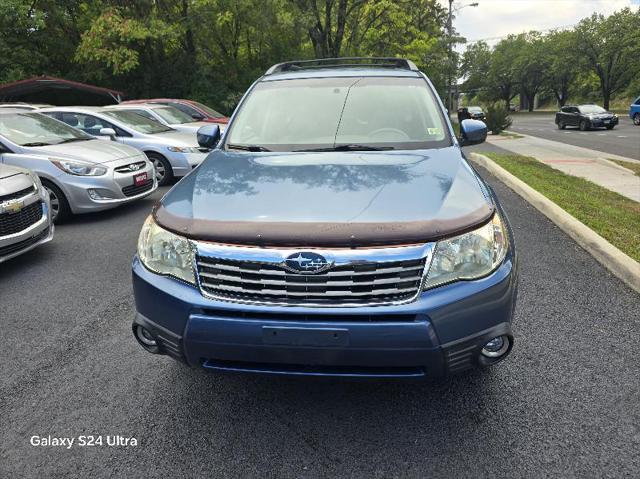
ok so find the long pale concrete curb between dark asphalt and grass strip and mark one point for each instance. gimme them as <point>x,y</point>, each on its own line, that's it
<point>621,265</point>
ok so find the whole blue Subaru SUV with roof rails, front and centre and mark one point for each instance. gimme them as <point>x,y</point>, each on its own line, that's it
<point>335,230</point>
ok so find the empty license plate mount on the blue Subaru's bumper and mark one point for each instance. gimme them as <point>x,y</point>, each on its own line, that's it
<point>322,337</point>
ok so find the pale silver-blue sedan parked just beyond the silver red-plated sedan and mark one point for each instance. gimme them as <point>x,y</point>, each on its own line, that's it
<point>173,153</point>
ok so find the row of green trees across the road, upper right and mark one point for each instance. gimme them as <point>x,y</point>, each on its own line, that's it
<point>595,61</point>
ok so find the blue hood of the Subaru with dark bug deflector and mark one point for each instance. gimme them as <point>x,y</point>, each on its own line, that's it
<point>327,199</point>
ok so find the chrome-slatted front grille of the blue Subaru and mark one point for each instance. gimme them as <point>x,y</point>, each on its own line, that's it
<point>358,283</point>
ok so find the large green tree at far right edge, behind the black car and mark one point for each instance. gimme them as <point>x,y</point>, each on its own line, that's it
<point>610,48</point>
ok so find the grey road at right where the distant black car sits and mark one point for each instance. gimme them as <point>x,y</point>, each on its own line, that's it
<point>623,140</point>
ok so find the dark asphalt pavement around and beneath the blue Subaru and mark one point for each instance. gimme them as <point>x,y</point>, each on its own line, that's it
<point>563,405</point>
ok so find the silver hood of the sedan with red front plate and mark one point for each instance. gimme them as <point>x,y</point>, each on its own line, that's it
<point>95,151</point>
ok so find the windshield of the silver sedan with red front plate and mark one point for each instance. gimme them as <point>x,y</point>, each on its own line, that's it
<point>35,129</point>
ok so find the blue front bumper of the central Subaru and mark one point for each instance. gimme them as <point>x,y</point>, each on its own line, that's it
<point>441,332</point>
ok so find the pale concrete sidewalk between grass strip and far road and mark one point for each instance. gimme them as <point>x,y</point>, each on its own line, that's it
<point>573,160</point>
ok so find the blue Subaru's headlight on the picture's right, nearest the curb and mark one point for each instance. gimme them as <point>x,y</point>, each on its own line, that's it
<point>468,256</point>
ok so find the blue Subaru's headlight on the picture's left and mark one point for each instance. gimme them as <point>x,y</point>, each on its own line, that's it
<point>165,253</point>
